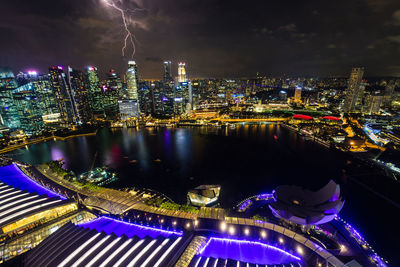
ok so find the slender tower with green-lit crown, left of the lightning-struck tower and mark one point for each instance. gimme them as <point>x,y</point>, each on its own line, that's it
<point>95,92</point>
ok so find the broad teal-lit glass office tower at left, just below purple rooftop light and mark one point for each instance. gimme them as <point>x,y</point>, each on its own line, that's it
<point>28,107</point>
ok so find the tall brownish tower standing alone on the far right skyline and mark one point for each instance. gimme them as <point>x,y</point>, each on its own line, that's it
<point>354,91</point>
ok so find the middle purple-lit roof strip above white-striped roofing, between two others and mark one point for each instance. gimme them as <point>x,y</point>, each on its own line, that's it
<point>109,225</point>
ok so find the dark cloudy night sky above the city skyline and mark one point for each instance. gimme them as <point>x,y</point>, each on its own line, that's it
<point>217,38</point>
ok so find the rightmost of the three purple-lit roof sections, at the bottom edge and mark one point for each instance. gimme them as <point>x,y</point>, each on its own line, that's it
<point>246,251</point>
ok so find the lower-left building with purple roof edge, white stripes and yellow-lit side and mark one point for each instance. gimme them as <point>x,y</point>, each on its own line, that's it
<point>30,212</point>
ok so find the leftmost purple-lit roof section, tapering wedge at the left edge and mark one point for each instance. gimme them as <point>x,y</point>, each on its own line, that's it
<point>14,177</point>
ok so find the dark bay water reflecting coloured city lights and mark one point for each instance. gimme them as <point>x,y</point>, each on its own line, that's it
<point>245,161</point>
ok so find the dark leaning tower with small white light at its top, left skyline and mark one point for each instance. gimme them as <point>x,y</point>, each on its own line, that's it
<point>63,95</point>
